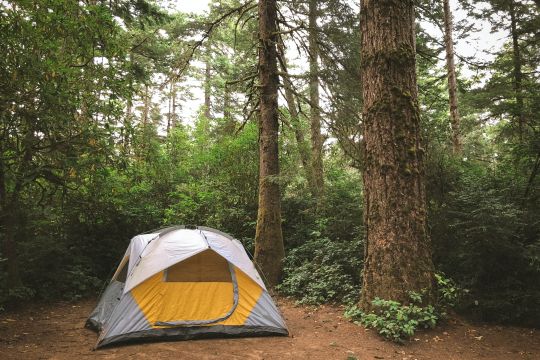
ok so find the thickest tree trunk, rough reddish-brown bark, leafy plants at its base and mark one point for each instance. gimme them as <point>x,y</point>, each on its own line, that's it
<point>397,255</point>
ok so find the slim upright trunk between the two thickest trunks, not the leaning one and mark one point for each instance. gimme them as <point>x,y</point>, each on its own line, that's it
<point>315,112</point>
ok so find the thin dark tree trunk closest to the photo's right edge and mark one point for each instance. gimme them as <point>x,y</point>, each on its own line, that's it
<point>518,74</point>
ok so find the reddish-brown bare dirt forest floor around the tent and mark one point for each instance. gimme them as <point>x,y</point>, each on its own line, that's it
<point>56,331</point>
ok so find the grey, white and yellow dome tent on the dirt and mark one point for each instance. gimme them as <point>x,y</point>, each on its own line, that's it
<point>185,283</point>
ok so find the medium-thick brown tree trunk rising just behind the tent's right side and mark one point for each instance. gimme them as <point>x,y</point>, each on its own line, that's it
<point>269,250</point>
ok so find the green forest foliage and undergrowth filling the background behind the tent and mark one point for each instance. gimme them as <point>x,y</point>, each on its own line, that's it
<point>90,157</point>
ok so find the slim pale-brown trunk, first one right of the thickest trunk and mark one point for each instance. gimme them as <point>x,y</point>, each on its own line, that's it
<point>452,83</point>
